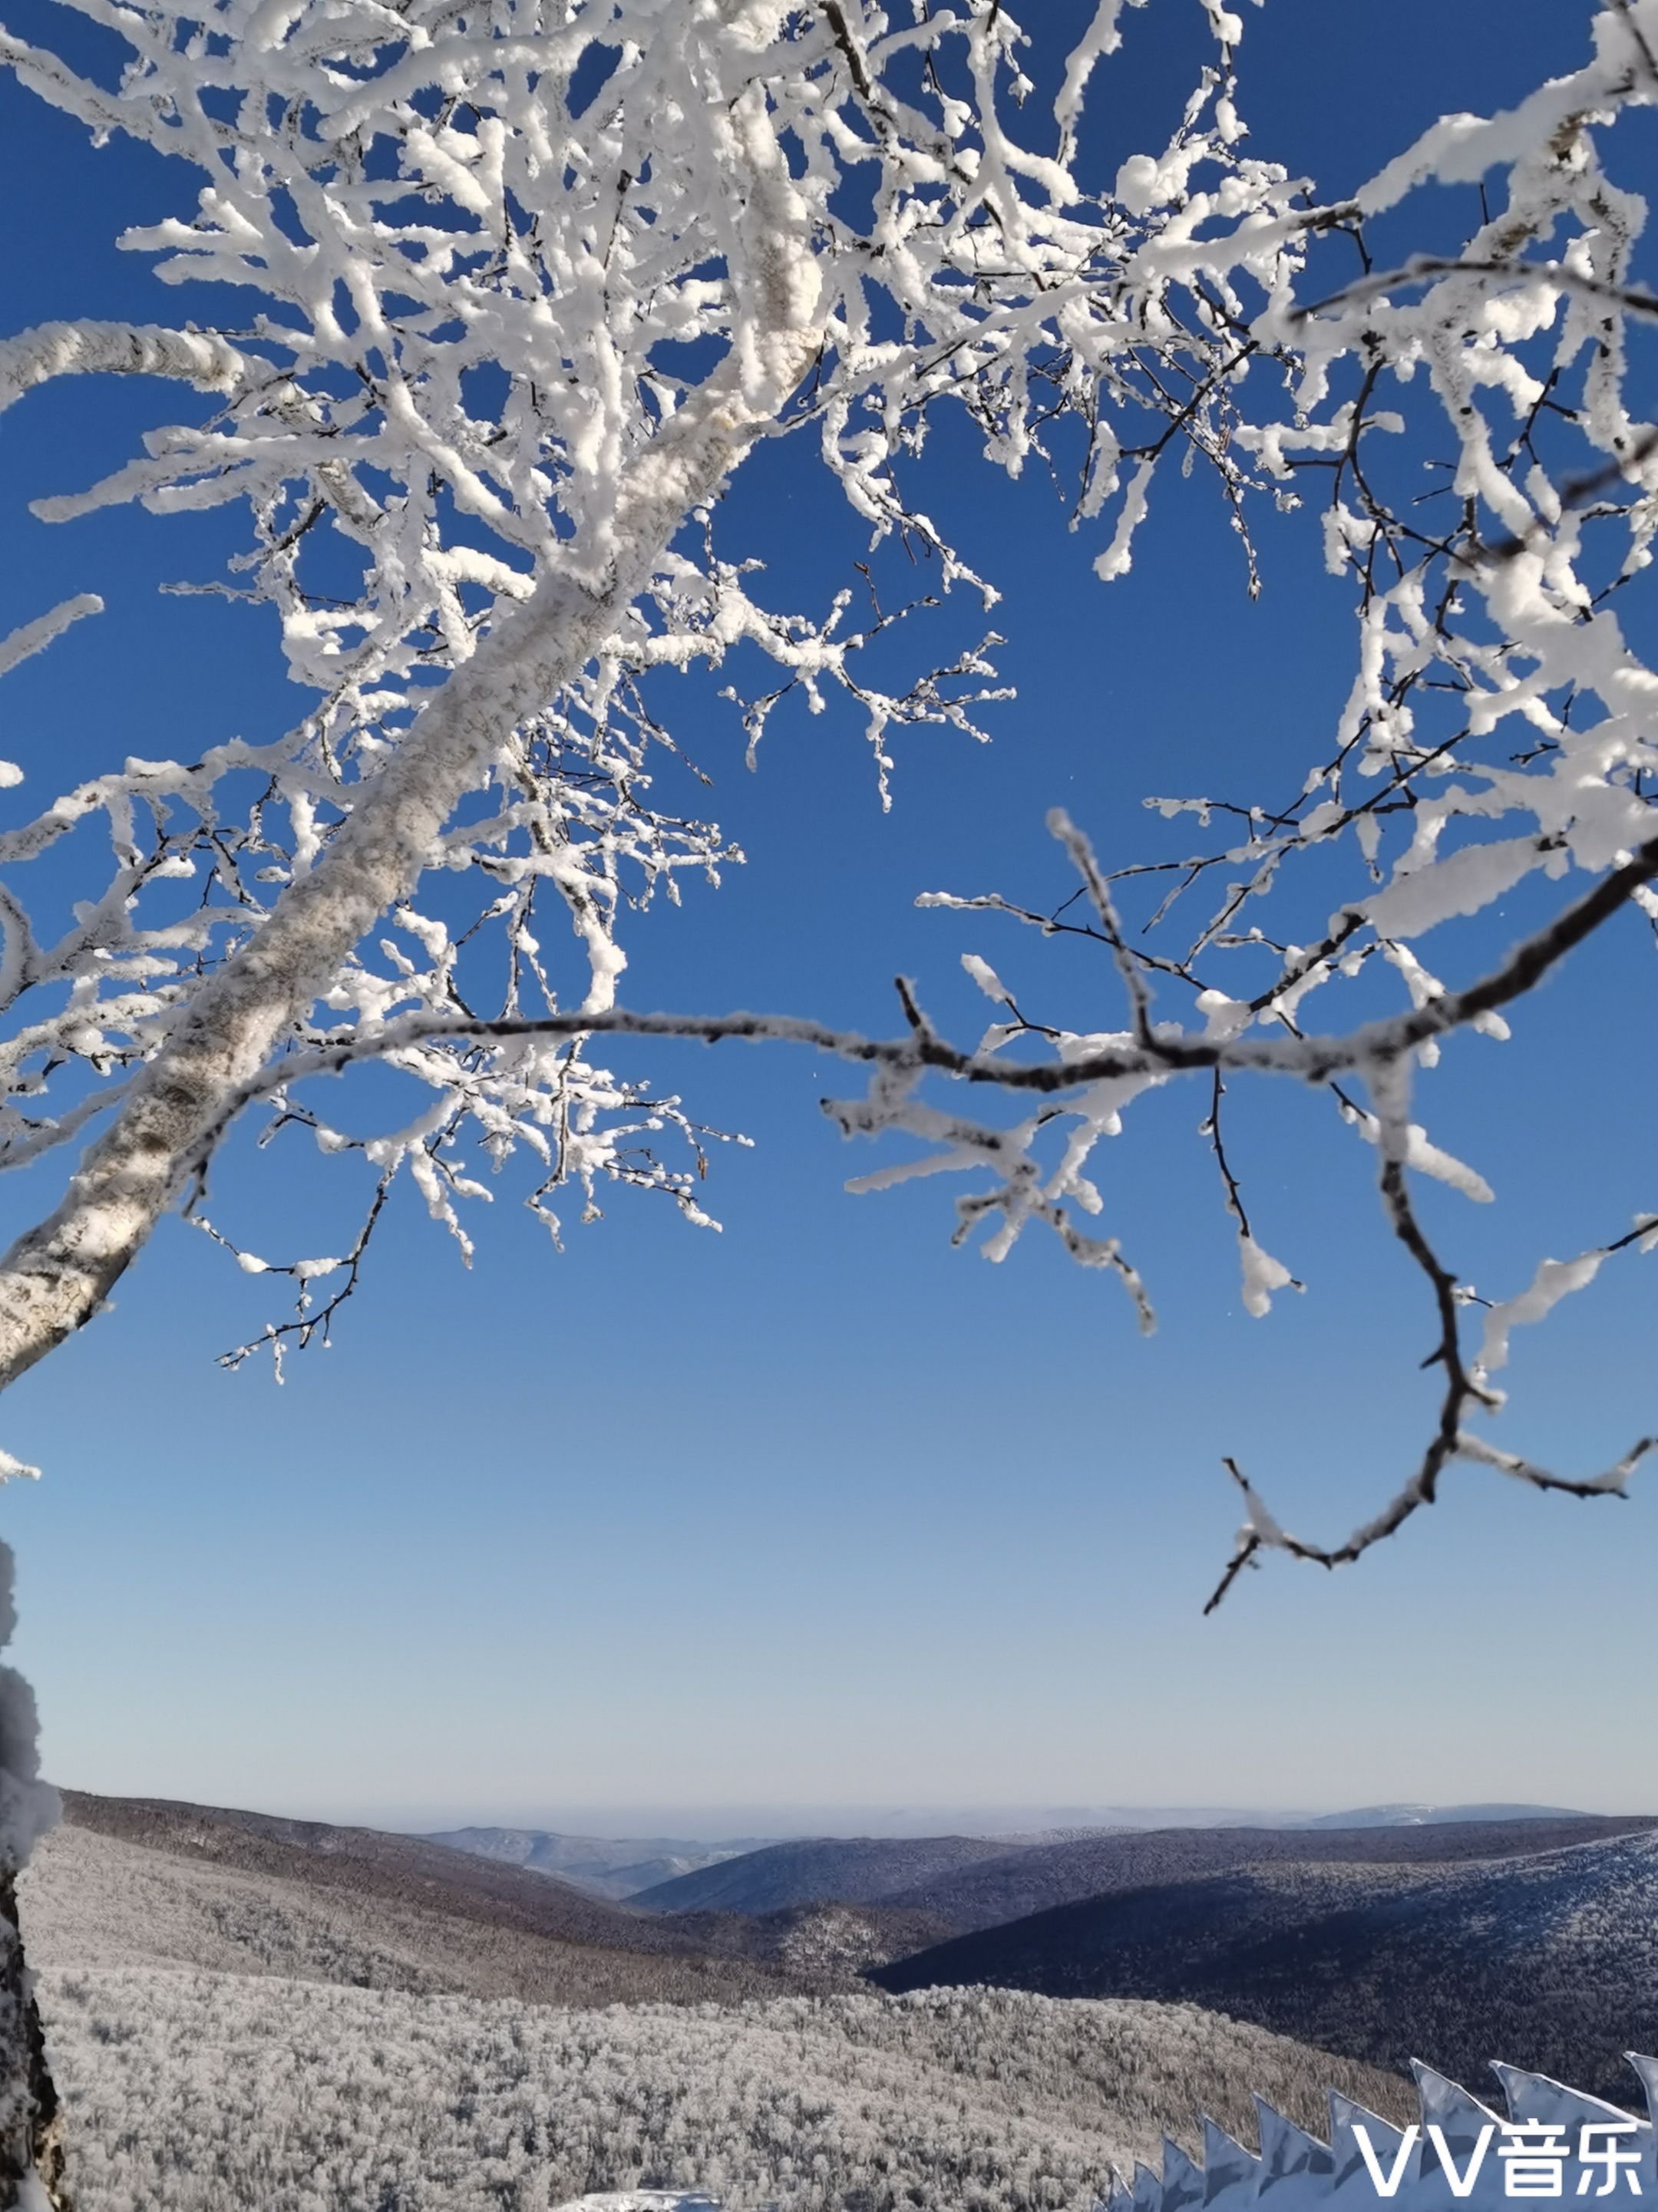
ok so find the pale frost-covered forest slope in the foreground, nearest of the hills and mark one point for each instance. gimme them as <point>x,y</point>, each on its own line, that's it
<point>203,2091</point>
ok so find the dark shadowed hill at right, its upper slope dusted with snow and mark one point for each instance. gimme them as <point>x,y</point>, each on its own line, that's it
<point>1546,1957</point>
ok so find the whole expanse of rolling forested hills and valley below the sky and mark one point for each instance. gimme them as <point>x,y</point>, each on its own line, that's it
<point>247,2010</point>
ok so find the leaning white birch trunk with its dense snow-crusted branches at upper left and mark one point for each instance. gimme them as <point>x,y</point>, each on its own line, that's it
<point>532,280</point>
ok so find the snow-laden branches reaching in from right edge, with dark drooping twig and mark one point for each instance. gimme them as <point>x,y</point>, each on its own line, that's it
<point>1502,722</point>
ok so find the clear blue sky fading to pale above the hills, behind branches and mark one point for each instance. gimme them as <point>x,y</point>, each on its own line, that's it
<point>820,1512</point>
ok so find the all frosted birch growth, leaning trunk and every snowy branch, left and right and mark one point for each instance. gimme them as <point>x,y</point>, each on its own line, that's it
<point>537,278</point>
